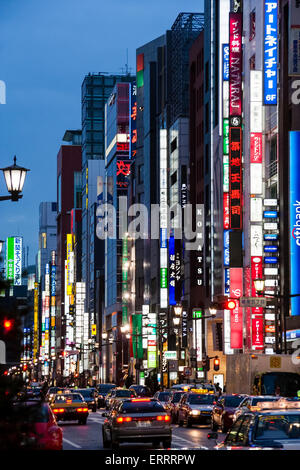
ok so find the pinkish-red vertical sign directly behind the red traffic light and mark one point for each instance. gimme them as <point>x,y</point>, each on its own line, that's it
<point>236,316</point>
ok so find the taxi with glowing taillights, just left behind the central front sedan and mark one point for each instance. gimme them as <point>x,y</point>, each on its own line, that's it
<point>70,407</point>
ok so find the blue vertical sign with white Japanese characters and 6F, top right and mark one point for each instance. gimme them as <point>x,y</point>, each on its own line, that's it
<point>270,52</point>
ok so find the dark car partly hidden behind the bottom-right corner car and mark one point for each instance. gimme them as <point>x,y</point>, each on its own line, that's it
<point>223,411</point>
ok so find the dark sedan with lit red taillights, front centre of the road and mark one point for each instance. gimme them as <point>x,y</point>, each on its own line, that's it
<point>137,420</point>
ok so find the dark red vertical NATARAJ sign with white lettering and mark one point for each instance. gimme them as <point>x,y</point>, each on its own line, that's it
<point>235,62</point>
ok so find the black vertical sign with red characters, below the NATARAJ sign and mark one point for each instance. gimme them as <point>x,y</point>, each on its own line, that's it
<point>235,178</point>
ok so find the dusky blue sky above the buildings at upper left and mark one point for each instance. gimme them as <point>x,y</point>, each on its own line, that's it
<point>46,48</point>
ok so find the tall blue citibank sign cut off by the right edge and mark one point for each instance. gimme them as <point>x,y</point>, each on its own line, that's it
<point>294,142</point>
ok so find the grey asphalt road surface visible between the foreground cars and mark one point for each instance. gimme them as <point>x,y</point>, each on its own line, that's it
<point>89,437</point>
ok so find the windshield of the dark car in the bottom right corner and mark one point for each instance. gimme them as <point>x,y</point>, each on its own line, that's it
<point>278,426</point>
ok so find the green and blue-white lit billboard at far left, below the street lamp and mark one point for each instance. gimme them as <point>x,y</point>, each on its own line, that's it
<point>14,260</point>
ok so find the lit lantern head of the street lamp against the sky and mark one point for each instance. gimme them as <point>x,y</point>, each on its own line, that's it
<point>14,176</point>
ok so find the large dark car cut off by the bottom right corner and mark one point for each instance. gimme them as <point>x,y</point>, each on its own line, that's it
<point>273,426</point>
